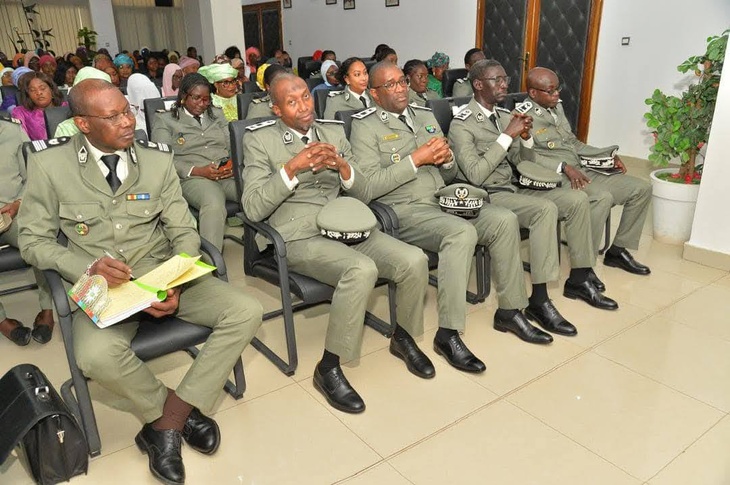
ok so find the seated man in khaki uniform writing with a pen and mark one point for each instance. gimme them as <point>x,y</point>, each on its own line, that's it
<point>105,193</point>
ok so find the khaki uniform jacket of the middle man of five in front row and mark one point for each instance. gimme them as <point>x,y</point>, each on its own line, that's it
<point>382,145</point>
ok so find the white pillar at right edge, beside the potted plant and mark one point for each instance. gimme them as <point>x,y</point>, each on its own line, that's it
<point>710,229</point>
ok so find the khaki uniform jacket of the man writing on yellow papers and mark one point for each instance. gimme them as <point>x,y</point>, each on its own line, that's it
<point>67,192</point>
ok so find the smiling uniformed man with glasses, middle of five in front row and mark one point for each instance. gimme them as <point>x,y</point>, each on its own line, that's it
<point>401,149</point>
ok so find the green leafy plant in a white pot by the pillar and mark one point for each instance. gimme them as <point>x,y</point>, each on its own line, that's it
<point>680,125</point>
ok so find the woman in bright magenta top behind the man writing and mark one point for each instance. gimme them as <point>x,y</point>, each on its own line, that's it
<point>36,92</point>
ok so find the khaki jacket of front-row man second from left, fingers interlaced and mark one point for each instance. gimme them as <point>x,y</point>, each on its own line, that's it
<point>292,213</point>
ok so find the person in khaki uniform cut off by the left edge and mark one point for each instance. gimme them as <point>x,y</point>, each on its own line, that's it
<point>12,184</point>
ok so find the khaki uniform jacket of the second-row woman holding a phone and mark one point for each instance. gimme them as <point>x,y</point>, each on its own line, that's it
<point>193,146</point>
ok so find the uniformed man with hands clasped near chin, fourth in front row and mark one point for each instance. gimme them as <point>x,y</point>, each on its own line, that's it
<point>488,141</point>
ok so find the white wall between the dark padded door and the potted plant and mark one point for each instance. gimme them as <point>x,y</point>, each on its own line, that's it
<point>662,37</point>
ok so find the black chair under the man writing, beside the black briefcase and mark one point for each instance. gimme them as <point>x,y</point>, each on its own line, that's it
<point>155,338</point>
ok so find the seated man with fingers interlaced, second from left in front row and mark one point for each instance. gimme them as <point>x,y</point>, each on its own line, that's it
<point>292,168</point>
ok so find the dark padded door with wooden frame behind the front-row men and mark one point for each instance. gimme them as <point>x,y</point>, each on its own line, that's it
<point>561,35</point>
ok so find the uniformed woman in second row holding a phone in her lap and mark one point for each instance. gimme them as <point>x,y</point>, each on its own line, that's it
<point>198,134</point>
